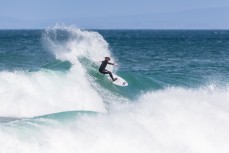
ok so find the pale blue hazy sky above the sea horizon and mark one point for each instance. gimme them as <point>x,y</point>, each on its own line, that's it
<point>115,14</point>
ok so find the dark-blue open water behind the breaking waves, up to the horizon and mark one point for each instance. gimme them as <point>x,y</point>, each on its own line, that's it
<point>166,57</point>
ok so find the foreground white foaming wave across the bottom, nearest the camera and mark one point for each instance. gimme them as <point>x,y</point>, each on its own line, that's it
<point>169,120</point>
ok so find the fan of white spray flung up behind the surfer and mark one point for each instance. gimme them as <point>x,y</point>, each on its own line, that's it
<point>69,43</point>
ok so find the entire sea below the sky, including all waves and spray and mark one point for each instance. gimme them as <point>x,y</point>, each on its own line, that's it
<point>54,100</point>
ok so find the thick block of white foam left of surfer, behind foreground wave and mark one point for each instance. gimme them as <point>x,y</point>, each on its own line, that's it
<point>26,94</point>
